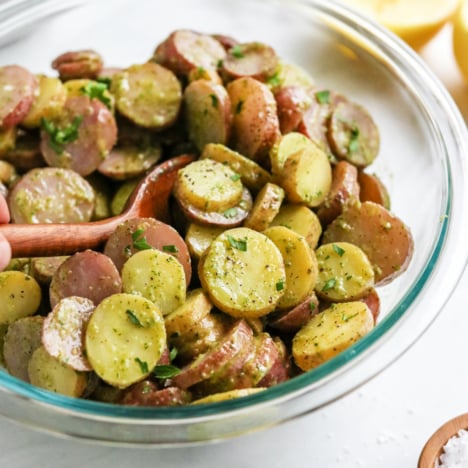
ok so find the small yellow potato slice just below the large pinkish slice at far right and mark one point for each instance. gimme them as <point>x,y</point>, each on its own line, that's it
<point>345,272</point>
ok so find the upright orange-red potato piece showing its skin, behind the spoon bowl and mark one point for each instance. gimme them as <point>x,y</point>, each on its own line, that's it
<point>255,125</point>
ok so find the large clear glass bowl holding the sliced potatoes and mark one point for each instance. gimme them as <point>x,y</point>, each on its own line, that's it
<point>424,146</point>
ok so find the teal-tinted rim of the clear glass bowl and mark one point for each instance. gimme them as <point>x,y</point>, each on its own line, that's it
<point>435,100</point>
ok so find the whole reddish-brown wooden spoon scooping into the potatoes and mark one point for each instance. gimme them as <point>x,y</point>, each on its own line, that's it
<point>149,199</point>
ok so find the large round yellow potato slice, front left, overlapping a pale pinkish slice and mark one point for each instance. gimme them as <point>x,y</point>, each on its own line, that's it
<point>125,338</point>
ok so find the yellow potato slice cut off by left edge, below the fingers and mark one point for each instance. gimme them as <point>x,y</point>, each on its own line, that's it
<point>20,296</point>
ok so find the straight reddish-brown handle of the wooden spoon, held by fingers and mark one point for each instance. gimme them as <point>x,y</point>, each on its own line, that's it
<point>40,240</point>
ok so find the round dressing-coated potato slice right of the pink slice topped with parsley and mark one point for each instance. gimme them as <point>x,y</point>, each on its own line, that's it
<point>158,106</point>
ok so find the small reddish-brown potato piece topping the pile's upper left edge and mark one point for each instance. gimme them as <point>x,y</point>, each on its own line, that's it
<point>78,64</point>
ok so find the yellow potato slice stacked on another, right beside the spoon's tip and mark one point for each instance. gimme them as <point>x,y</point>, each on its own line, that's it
<point>208,185</point>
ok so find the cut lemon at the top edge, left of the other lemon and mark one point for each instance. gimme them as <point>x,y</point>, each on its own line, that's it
<point>415,21</point>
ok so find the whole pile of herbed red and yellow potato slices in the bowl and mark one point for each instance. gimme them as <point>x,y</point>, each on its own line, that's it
<point>278,236</point>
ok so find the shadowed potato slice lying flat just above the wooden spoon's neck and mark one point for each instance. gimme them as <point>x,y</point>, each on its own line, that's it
<point>128,162</point>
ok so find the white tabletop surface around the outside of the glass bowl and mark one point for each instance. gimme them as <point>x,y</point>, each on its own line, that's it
<point>384,424</point>
